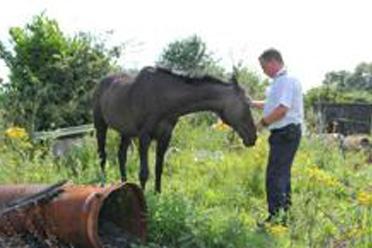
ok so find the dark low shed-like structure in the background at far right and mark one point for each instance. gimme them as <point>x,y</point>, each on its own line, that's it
<point>350,118</point>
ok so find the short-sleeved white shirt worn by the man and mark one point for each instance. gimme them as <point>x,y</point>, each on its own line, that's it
<point>287,91</point>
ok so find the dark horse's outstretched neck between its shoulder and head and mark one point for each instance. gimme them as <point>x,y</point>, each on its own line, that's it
<point>208,97</point>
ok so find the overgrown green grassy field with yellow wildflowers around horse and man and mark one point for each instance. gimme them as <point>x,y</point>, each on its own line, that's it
<point>213,189</point>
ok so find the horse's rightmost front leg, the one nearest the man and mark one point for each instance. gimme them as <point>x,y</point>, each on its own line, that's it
<point>161,148</point>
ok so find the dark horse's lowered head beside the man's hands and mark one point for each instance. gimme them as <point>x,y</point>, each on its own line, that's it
<point>238,115</point>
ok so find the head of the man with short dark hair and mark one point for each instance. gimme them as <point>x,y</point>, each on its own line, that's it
<point>271,62</point>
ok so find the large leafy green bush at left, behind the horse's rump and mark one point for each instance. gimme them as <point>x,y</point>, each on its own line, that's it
<point>51,75</point>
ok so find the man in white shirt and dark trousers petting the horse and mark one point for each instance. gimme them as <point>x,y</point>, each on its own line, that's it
<point>283,116</point>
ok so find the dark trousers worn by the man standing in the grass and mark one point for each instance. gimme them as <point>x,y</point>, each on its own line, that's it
<point>284,143</point>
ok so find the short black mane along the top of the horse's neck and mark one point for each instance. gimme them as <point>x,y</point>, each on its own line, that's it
<point>188,78</point>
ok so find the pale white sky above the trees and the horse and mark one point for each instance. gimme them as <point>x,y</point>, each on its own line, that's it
<point>314,37</point>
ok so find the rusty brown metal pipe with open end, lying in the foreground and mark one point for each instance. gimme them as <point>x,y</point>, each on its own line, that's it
<point>79,214</point>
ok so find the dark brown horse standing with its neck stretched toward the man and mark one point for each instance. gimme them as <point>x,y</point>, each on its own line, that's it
<point>148,107</point>
